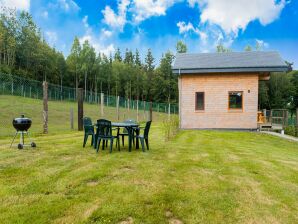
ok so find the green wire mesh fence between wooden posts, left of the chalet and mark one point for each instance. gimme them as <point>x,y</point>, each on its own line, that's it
<point>24,96</point>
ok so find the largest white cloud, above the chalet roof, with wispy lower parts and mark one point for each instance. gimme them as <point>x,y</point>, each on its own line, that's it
<point>221,21</point>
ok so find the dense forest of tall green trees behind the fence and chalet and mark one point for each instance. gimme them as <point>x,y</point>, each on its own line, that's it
<point>25,52</point>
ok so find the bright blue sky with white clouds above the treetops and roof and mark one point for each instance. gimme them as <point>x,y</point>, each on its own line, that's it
<point>159,24</point>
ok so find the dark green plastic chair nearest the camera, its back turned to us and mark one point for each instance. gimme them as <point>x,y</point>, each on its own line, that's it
<point>104,133</point>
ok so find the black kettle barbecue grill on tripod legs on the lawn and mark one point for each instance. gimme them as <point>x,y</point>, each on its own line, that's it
<point>22,124</point>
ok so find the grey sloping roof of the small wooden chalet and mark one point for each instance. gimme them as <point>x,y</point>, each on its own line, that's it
<point>252,61</point>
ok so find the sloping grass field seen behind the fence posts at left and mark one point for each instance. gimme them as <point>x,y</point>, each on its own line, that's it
<point>59,114</point>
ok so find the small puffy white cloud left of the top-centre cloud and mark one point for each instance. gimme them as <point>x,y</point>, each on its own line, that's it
<point>113,19</point>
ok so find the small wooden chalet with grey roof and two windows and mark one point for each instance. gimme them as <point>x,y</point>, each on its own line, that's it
<point>220,90</point>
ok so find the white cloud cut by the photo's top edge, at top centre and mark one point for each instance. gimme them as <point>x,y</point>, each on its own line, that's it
<point>144,9</point>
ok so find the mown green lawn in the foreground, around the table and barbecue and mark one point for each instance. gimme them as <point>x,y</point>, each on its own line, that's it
<point>198,177</point>
